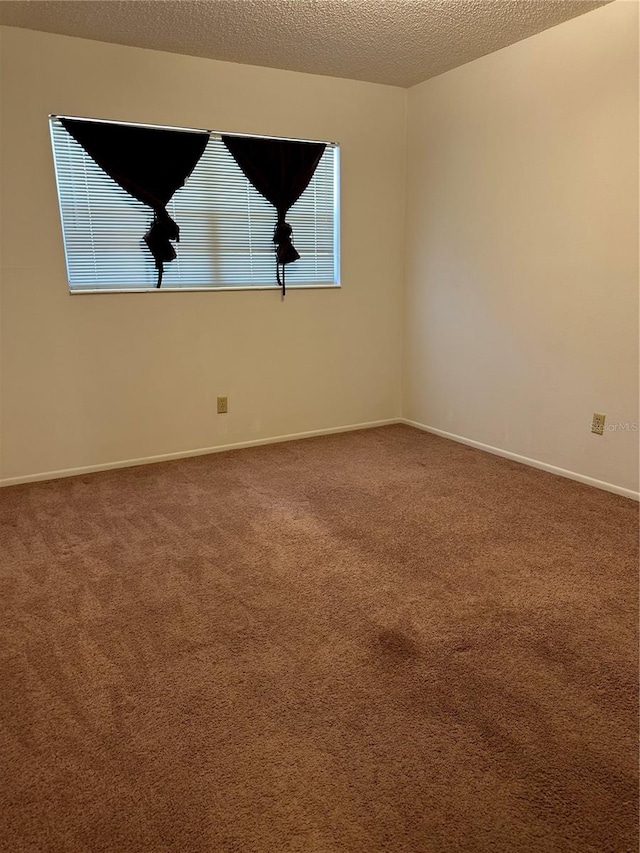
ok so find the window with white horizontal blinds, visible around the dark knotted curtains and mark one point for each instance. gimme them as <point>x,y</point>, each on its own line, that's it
<point>226,226</point>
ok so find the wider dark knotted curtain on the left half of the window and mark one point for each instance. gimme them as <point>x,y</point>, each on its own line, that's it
<point>150,164</point>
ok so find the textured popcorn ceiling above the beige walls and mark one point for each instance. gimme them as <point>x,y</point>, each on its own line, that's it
<point>399,42</point>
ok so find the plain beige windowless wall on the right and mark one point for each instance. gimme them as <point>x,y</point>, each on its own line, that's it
<point>521,290</point>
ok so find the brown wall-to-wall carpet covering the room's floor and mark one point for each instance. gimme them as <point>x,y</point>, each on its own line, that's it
<point>376,641</point>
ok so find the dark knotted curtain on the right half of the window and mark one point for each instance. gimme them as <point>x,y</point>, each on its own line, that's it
<point>280,169</point>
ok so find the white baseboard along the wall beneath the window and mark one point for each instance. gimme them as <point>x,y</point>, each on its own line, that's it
<point>184,454</point>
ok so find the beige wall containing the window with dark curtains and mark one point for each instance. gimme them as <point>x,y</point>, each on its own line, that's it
<point>90,380</point>
